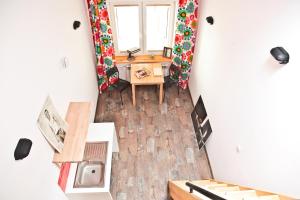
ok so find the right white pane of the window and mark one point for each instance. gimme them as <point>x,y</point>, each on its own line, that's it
<point>157,22</point>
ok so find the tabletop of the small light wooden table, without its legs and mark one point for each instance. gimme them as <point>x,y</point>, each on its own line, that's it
<point>149,80</point>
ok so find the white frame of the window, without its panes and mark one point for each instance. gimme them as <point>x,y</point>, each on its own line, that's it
<point>142,4</point>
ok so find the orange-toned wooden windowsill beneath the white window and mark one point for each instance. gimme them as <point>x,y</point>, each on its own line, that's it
<point>142,59</point>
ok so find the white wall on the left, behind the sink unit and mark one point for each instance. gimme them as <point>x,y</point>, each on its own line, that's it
<point>34,37</point>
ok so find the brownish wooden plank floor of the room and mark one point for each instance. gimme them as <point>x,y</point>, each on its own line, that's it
<point>157,143</point>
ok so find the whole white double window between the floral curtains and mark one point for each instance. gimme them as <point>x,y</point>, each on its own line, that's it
<point>145,25</point>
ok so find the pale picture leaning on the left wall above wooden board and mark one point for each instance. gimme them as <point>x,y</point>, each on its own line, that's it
<point>52,126</point>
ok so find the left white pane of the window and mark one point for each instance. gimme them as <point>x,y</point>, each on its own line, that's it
<point>127,23</point>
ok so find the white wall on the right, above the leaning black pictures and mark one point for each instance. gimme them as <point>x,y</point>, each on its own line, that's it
<point>251,100</point>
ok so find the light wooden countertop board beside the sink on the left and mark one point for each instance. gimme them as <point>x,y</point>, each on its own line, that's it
<point>78,120</point>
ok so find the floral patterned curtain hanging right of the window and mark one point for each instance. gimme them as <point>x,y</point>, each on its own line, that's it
<point>185,38</point>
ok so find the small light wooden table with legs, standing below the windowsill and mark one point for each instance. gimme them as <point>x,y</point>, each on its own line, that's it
<point>149,80</point>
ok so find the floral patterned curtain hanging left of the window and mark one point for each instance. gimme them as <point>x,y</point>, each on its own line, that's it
<point>102,35</point>
